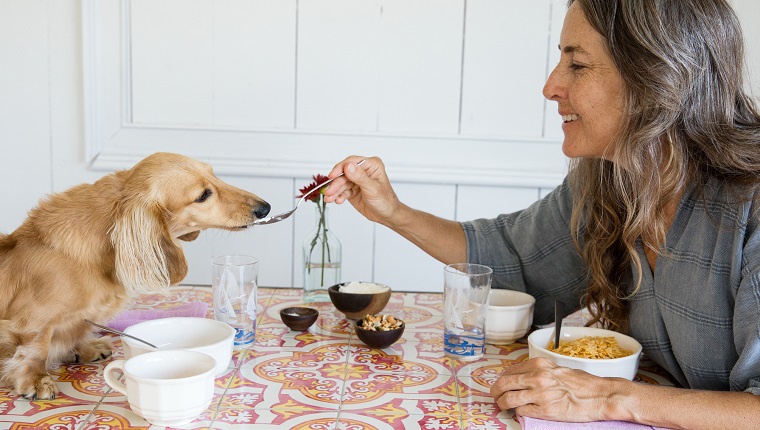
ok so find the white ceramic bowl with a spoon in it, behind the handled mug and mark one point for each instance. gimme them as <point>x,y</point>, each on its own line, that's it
<point>204,335</point>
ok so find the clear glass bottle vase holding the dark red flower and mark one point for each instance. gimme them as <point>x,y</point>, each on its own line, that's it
<point>322,258</point>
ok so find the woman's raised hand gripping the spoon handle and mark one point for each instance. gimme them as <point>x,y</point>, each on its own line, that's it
<point>366,187</point>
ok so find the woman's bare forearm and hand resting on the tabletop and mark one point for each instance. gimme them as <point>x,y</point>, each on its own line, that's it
<point>540,389</point>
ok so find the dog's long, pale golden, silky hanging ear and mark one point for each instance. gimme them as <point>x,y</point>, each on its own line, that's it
<point>148,259</point>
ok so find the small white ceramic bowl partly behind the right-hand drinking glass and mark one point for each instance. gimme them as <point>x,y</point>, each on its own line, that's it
<point>510,316</point>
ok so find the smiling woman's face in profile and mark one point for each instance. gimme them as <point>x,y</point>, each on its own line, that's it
<point>588,88</point>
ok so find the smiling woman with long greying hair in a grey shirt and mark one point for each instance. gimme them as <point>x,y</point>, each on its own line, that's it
<point>655,228</point>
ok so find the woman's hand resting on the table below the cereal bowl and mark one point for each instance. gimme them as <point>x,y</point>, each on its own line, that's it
<point>539,388</point>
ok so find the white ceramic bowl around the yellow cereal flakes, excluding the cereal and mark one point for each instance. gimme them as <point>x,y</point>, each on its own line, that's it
<point>624,367</point>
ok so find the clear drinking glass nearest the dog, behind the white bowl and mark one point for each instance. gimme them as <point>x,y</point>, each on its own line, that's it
<point>234,285</point>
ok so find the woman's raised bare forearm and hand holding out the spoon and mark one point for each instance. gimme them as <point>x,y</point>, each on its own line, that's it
<point>368,190</point>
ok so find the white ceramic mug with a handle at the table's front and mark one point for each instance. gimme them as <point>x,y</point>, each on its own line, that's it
<point>167,388</point>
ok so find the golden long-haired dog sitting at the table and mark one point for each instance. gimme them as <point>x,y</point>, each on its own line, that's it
<point>81,253</point>
